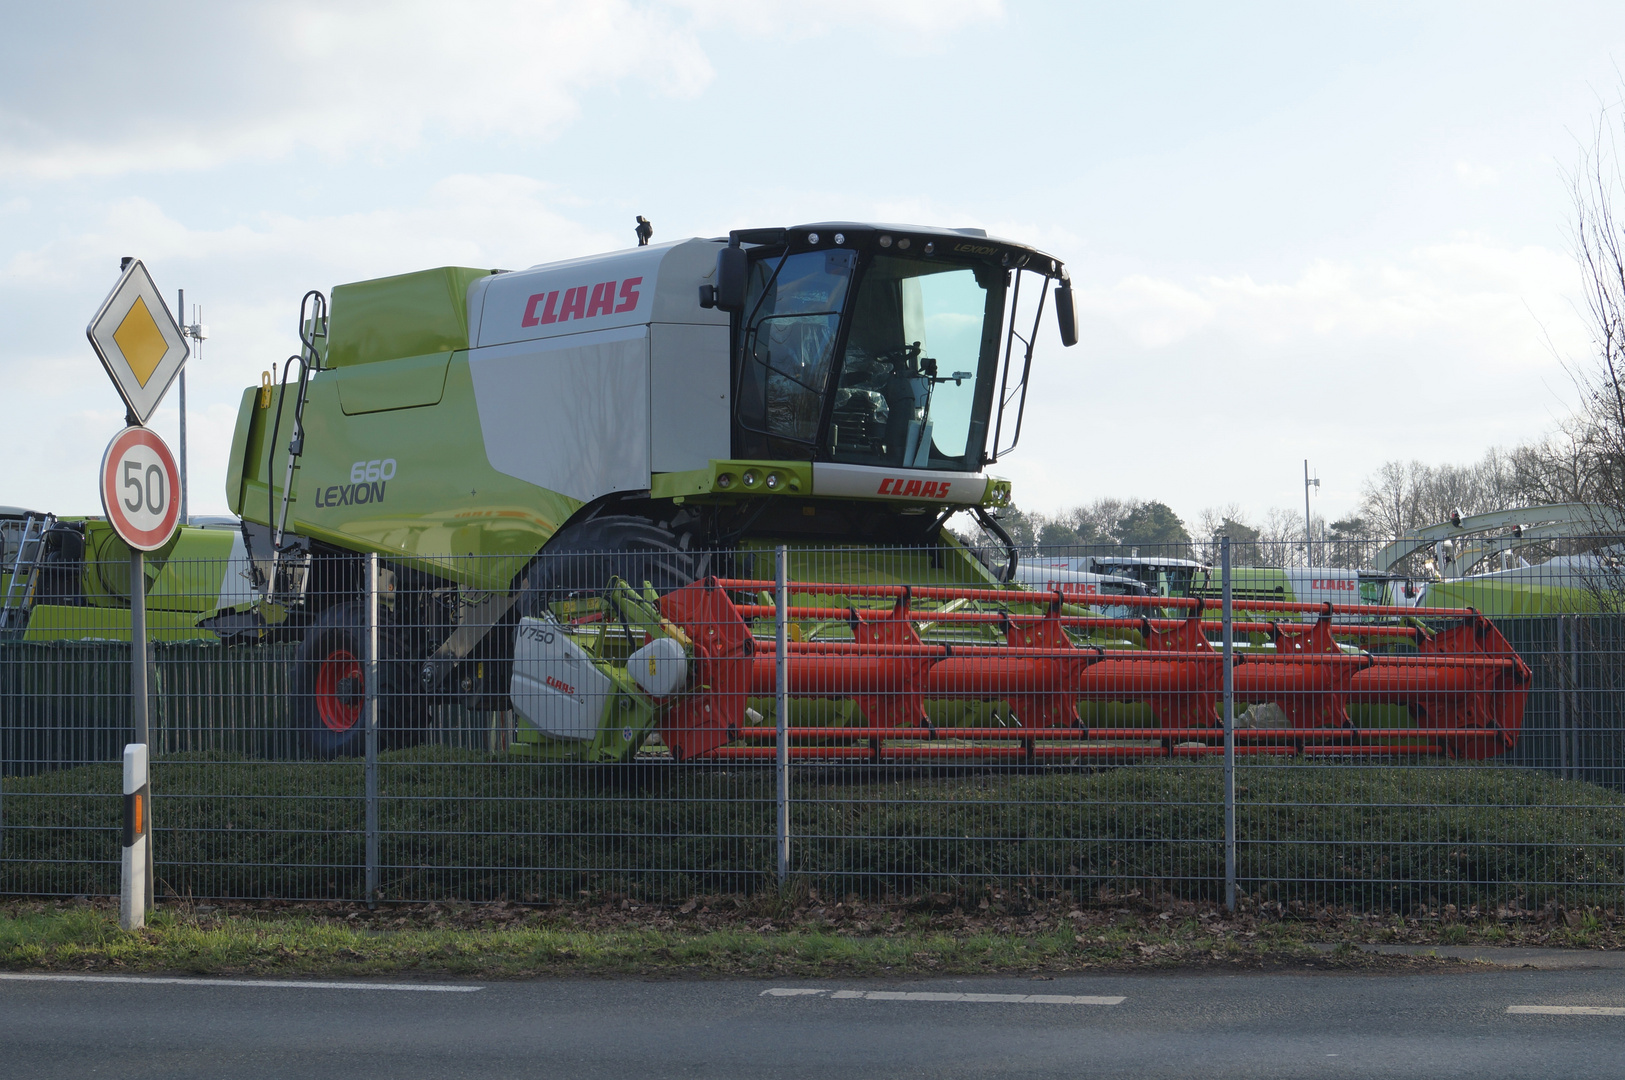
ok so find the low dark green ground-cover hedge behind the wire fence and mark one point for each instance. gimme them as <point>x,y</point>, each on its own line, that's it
<point>464,826</point>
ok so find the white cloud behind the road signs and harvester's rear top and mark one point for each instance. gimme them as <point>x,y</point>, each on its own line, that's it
<point>249,280</point>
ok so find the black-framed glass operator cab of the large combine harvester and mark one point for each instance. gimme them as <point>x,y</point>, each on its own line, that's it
<point>882,347</point>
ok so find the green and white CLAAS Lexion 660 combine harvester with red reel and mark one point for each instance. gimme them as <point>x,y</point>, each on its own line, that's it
<point>576,478</point>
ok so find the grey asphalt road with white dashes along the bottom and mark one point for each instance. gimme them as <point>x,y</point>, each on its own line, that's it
<point>1166,1026</point>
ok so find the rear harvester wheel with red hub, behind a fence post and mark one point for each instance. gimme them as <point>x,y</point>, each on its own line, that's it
<point>329,689</point>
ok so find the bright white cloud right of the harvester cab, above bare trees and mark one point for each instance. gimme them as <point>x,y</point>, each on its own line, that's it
<point>1190,386</point>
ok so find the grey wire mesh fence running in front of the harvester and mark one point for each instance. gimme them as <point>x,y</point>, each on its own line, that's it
<point>605,720</point>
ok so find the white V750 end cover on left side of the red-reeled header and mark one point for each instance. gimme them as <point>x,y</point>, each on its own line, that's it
<point>555,685</point>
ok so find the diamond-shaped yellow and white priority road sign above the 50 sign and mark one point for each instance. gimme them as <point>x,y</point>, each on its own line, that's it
<point>139,342</point>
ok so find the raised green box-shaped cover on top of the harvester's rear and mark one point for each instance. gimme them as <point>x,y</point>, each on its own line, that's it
<point>388,319</point>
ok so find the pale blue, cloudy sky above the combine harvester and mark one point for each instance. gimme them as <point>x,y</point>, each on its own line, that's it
<point>1332,233</point>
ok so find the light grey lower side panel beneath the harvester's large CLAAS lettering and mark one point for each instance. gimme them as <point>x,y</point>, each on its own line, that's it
<point>568,415</point>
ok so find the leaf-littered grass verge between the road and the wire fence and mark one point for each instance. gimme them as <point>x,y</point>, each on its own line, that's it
<point>727,938</point>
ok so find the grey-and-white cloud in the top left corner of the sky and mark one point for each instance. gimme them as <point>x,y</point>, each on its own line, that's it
<point>178,87</point>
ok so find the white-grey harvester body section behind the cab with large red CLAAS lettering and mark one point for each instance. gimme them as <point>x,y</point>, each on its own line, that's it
<point>594,373</point>
